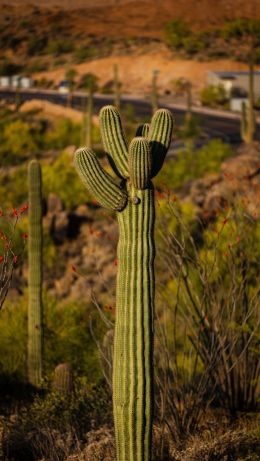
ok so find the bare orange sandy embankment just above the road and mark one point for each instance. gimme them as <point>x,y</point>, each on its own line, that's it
<point>136,71</point>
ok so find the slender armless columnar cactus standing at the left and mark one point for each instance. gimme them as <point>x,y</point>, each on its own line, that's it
<point>35,309</point>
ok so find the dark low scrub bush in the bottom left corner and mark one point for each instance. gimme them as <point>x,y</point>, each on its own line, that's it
<point>52,426</point>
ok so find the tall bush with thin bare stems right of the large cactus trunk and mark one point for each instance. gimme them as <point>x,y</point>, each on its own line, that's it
<point>215,289</point>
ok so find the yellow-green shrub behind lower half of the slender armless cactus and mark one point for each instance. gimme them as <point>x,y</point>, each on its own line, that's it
<point>67,337</point>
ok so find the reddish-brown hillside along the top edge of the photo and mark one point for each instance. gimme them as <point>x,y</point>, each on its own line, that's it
<point>120,18</point>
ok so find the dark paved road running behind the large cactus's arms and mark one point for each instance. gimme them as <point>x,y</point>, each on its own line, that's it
<point>226,127</point>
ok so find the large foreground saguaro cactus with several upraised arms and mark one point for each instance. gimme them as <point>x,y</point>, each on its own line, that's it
<point>132,197</point>
